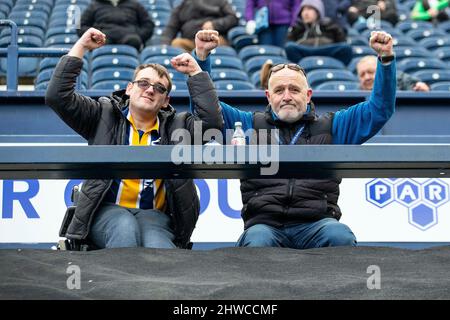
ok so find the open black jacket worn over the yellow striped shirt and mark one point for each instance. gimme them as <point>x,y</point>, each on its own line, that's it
<point>102,123</point>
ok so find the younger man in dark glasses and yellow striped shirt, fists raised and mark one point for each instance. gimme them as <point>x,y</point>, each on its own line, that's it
<point>133,212</point>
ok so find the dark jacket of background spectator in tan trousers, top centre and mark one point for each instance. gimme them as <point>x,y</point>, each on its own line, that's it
<point>190,15</point>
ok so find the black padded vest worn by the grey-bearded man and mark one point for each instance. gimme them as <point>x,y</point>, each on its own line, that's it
<point>279,202</point>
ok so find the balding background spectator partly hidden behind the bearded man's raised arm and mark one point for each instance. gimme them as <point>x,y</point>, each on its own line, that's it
<point>366,69</point>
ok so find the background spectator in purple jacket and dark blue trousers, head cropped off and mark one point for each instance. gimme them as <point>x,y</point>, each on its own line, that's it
<point>282,15</point>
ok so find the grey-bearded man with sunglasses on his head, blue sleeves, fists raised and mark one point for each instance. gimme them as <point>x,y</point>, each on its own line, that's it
<point>304,213</point>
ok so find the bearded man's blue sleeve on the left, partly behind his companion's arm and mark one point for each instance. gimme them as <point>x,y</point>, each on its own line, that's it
<point>230,114</point>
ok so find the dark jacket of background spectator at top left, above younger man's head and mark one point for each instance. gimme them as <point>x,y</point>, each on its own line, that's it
<point>117,22</point>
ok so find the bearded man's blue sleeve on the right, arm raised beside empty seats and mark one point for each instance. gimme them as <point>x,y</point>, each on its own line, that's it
<point>362,121</point>
